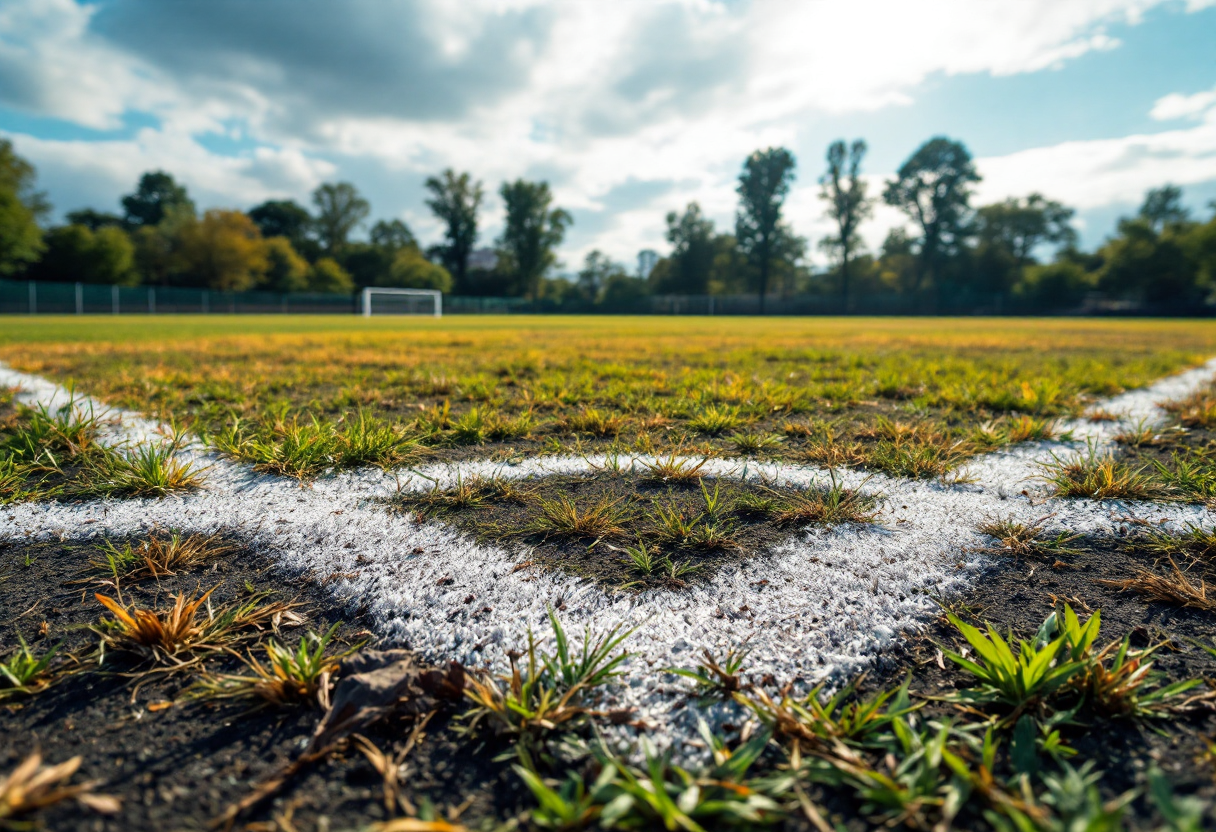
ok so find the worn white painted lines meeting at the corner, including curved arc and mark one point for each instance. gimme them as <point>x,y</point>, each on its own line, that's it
<point>820,605</point>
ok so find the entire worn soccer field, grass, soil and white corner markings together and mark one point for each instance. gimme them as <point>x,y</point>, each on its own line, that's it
<point>678,536</point>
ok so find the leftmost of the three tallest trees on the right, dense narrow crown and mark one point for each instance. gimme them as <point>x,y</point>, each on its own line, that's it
<point>763,188</point>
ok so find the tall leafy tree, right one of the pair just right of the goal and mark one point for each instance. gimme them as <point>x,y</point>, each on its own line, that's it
<point>532,234</point>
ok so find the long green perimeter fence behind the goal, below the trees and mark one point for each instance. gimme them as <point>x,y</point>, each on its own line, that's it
<point>44,299</point>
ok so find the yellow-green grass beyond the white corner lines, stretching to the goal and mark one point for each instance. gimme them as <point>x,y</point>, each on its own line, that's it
<point>908,397</point>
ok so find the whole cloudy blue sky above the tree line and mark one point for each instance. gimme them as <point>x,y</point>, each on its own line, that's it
<point>629,109</point>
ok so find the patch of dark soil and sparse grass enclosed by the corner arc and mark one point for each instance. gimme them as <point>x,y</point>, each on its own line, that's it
<point>660,527</point>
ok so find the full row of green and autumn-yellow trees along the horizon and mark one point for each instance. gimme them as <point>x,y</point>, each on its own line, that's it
<point>1023,249</point>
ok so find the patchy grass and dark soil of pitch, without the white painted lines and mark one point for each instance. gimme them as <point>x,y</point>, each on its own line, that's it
<point>1096,650</point>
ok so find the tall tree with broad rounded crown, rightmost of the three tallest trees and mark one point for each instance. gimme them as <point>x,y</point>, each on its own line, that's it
<point>933,188</point>
